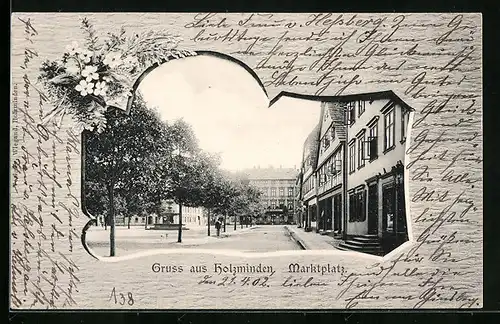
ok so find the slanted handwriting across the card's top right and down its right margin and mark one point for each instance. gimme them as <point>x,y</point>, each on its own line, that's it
<point>434,65</point>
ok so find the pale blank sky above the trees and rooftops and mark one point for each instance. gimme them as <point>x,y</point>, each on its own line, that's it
<point>230,113</point>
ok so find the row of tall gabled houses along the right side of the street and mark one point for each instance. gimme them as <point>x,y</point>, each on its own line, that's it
<point>355,188</point>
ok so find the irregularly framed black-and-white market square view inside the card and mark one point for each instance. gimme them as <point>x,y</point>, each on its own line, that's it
<point>196,163</point>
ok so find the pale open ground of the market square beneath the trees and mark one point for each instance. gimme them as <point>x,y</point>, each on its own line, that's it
<point>262,238</point>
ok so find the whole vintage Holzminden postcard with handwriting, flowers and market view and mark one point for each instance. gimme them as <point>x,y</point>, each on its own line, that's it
<point>170,161</point>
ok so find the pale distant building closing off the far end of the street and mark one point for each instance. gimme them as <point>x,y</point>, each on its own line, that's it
<point>278,192</point>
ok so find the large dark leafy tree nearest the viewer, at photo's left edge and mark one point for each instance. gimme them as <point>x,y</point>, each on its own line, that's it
<point>126,160</point>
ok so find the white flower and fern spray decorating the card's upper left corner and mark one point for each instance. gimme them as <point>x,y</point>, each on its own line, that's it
<point>100,74</point>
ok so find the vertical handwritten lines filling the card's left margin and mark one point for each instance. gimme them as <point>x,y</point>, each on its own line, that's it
<point>43,271</point>
